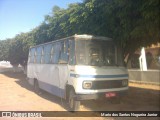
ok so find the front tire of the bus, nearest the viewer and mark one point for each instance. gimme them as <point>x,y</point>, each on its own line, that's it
<point>73,104</point>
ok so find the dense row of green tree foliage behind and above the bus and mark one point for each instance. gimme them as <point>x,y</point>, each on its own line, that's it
<point>131,23</point>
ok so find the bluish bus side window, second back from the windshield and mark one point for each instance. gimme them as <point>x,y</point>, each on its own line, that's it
<point>64,52</point>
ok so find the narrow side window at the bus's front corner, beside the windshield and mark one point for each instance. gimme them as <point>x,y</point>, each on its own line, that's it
<point>72,60</point>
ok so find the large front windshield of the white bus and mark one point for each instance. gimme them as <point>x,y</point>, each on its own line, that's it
<point>95,53</point>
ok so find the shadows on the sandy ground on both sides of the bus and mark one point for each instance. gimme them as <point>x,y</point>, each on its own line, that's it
<point>138,99</point>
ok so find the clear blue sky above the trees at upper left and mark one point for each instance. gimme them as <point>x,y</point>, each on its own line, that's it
<point>17,16</point>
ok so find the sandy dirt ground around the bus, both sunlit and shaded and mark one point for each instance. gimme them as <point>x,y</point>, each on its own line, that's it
<point>16,94</point>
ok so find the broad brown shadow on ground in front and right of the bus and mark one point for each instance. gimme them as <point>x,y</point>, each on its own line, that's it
<point>137,99</point>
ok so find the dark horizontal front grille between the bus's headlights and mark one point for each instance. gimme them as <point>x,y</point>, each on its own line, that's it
<point>108,84</point>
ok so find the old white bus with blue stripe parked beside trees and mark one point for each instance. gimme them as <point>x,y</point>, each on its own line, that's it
<point>80,67</point>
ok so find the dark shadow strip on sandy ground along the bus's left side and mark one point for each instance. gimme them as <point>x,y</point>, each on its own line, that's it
<point>22,81</point>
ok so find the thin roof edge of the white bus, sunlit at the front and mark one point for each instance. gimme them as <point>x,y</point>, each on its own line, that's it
<point>78,37</point>
